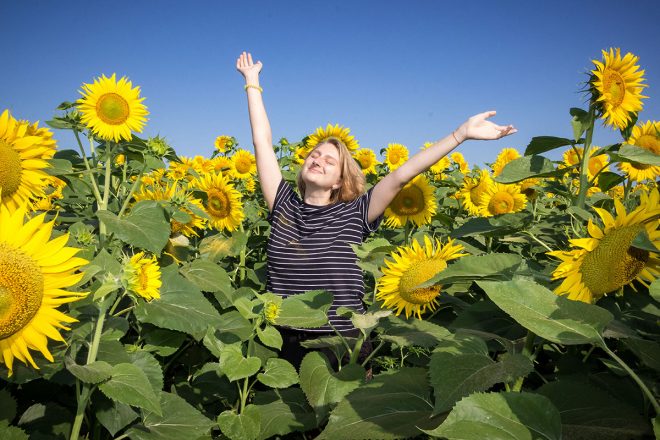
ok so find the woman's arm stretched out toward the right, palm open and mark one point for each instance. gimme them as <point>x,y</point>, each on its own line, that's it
<point>477,127</point>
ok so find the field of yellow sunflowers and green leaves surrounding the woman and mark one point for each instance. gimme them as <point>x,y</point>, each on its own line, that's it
<point>511,300</point>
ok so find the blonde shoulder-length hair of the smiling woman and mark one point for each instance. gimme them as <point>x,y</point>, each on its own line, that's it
<point>352,179</point>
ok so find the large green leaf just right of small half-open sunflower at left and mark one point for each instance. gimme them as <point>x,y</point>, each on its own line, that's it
<point>181,306</point>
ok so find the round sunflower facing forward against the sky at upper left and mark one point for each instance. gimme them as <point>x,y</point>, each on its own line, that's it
<point>111,109</point>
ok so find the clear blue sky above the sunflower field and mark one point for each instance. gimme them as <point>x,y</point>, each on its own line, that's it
<point>393,71</point>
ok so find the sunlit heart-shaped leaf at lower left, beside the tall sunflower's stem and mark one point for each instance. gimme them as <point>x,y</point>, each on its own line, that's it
<point>131,386</point>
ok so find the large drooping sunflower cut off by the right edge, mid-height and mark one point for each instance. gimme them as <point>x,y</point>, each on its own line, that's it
<point>606,261</point>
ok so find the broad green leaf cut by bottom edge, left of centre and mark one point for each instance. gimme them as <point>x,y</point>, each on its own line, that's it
<point>179,420</point>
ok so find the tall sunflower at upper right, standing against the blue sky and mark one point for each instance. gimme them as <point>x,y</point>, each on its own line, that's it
<point>617,86</point>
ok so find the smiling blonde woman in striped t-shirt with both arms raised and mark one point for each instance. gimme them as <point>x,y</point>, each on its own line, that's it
<point>309,245</point>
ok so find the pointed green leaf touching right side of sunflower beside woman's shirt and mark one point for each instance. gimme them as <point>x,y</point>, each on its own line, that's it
<point>477,267</point>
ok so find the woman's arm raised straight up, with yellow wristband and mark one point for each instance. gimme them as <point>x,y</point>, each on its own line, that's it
<point>262,137</point>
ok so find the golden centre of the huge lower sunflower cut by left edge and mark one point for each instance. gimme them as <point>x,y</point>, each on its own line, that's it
<point>21,290</point>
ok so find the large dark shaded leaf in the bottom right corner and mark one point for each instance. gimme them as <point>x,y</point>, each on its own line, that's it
<point>589,412</point>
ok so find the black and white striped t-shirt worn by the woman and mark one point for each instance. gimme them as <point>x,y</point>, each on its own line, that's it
<point>309,249</point>
